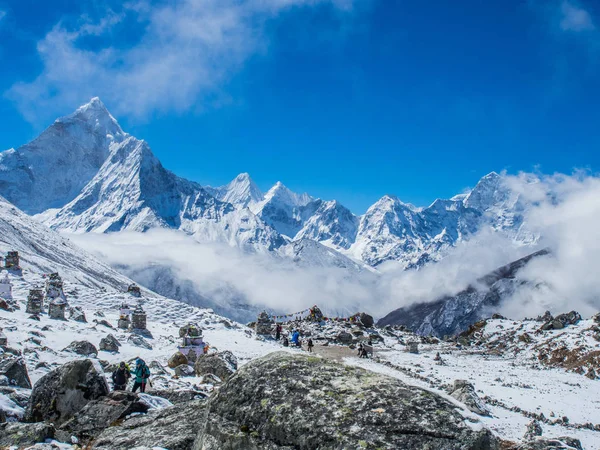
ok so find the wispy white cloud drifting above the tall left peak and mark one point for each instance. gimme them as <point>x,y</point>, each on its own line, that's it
<point>185,53</point>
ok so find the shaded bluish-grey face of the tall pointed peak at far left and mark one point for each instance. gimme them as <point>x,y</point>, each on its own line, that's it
<point>53,168</point>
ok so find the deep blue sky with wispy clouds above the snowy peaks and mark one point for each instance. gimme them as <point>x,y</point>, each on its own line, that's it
<point>345,99</point>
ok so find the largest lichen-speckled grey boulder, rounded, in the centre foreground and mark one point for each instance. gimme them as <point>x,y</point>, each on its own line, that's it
<point>301,402</point>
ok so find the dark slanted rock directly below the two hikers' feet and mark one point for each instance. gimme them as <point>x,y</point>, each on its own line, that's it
<point>100,414</point>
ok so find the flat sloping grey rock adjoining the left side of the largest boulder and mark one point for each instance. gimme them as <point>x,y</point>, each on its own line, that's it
<point>174,428</point>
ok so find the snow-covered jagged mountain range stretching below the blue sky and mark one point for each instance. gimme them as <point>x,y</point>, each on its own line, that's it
<point>84,174</point>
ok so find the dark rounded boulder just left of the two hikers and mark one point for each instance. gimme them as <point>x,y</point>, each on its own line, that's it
<point>61,393</point>
